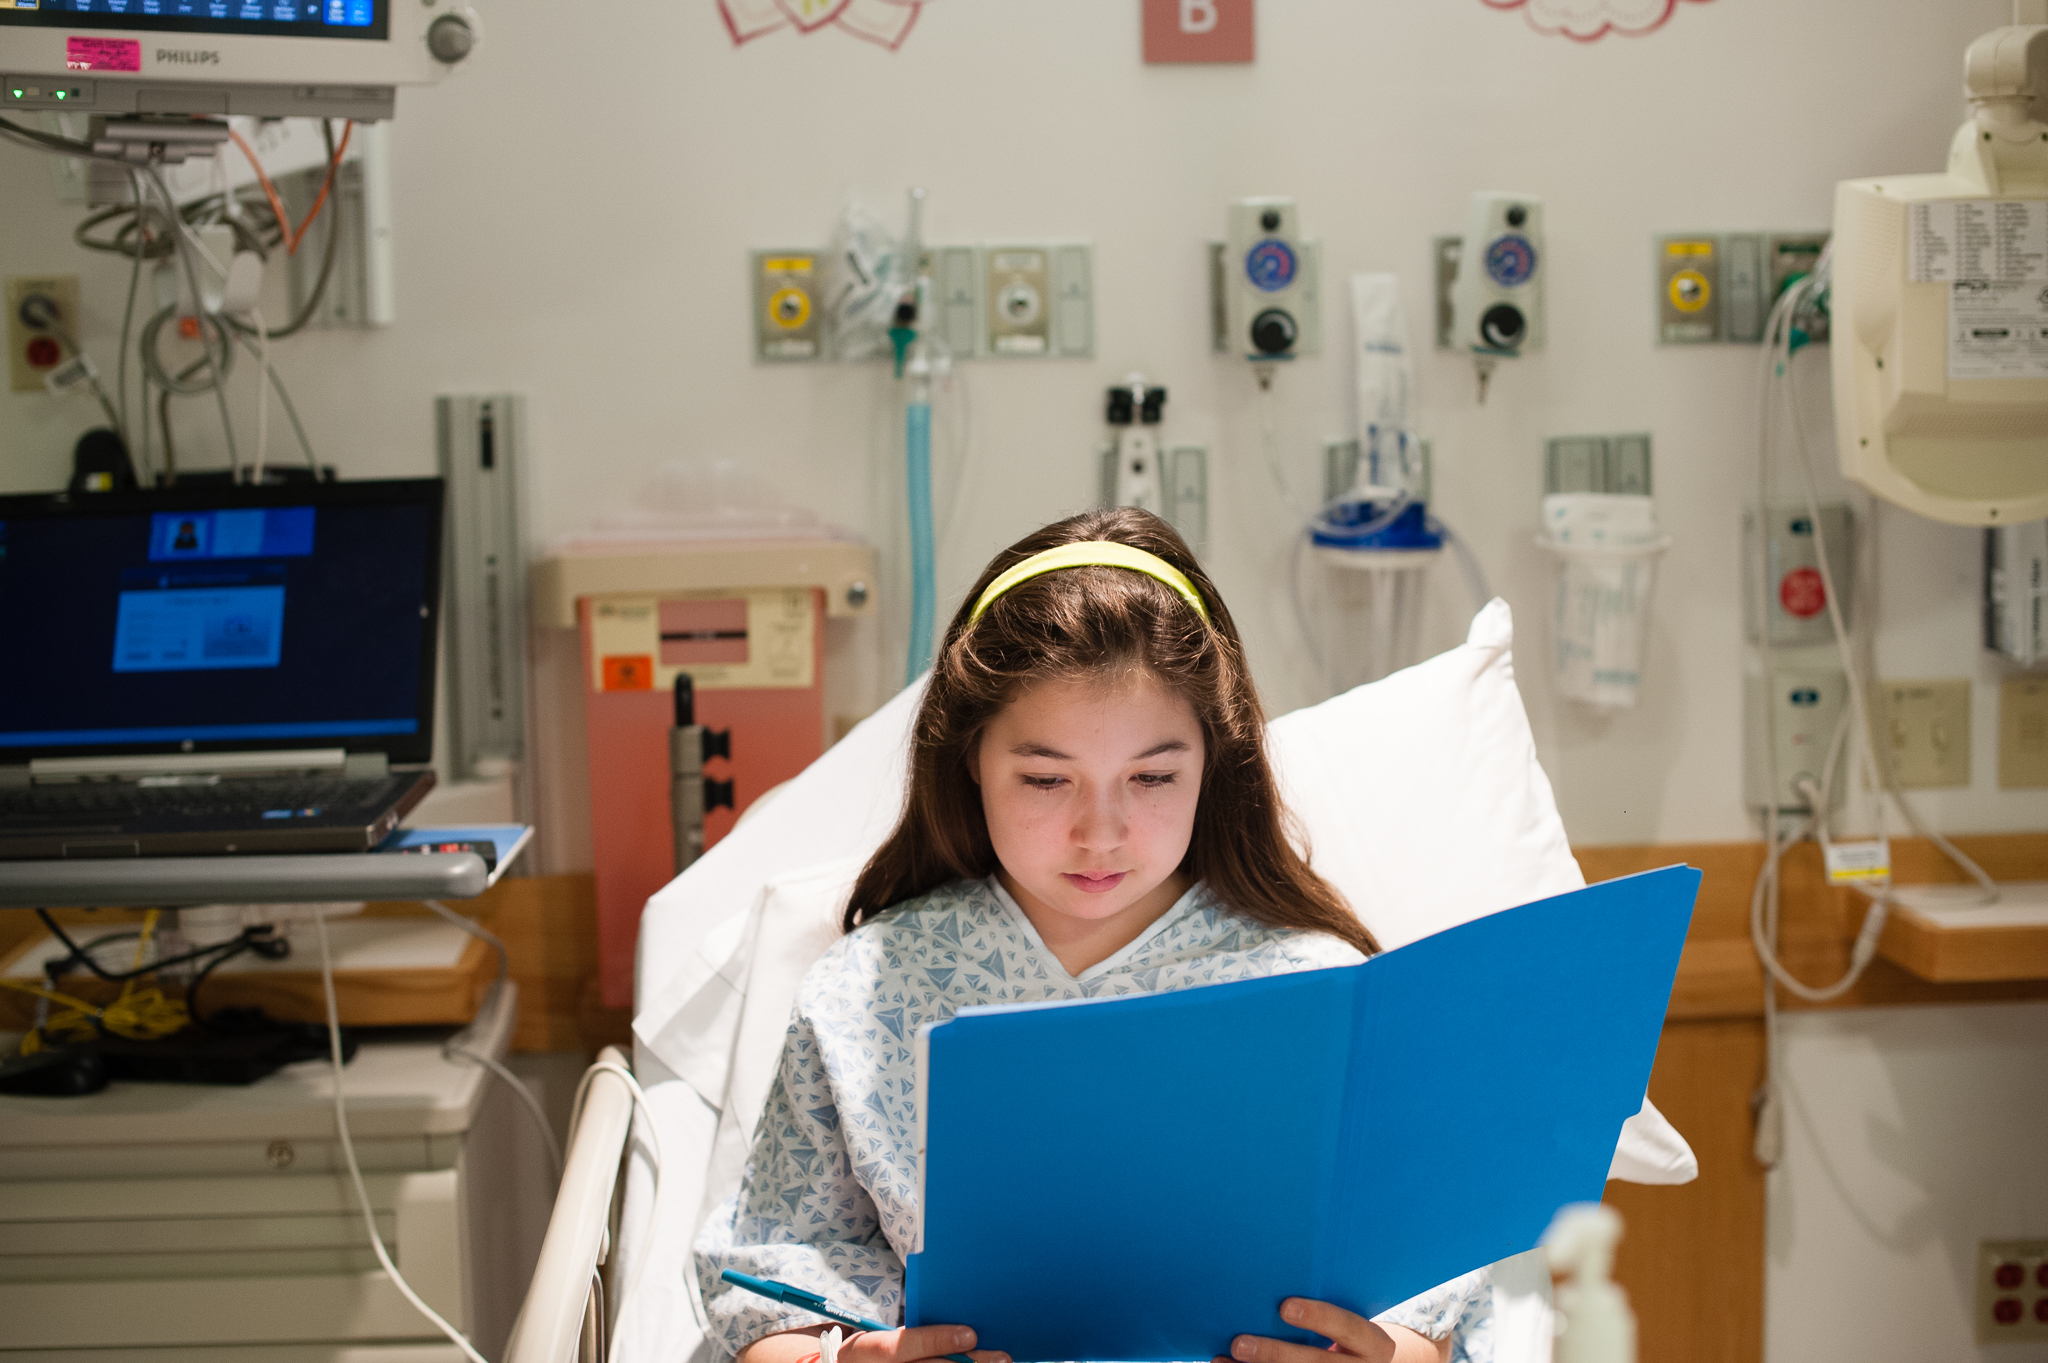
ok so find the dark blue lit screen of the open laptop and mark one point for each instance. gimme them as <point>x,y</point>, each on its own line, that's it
<point>220,621</point>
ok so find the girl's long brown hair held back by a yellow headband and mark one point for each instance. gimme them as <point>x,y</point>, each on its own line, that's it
<point>1103,623</point>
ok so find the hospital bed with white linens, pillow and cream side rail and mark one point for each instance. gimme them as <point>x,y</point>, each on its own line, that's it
<point>1422,803</point>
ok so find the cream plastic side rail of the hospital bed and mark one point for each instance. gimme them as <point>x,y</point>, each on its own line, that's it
<point>566,1305</point>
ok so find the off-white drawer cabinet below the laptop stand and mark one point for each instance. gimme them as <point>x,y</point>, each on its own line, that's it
<point>157,1223</point>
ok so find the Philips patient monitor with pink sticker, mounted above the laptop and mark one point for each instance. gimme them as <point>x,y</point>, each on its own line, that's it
<point>267,58</point>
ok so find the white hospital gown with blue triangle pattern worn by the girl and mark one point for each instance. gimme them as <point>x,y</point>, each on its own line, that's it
<point>830,1190</point>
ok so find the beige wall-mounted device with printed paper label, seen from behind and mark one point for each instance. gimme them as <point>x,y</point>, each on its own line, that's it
<point>1940,308</point>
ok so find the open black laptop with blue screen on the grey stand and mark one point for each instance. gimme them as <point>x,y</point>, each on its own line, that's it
<point>220,670</point>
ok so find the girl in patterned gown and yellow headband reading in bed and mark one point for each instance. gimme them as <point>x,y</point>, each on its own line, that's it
<point>1091,814</point>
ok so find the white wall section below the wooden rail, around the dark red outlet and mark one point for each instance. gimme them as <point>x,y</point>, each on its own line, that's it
<point>1912,1135</point>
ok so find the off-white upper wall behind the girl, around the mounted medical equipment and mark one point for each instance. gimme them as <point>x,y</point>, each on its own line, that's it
<point>574,216</point>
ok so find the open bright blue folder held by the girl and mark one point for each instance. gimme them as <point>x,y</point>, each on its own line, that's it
<point>1148,1178</point>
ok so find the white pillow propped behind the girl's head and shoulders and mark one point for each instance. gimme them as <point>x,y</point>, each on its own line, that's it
<point>1420,795</point>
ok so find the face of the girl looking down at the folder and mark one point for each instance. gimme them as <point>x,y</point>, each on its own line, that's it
<point>1091,797</point>
